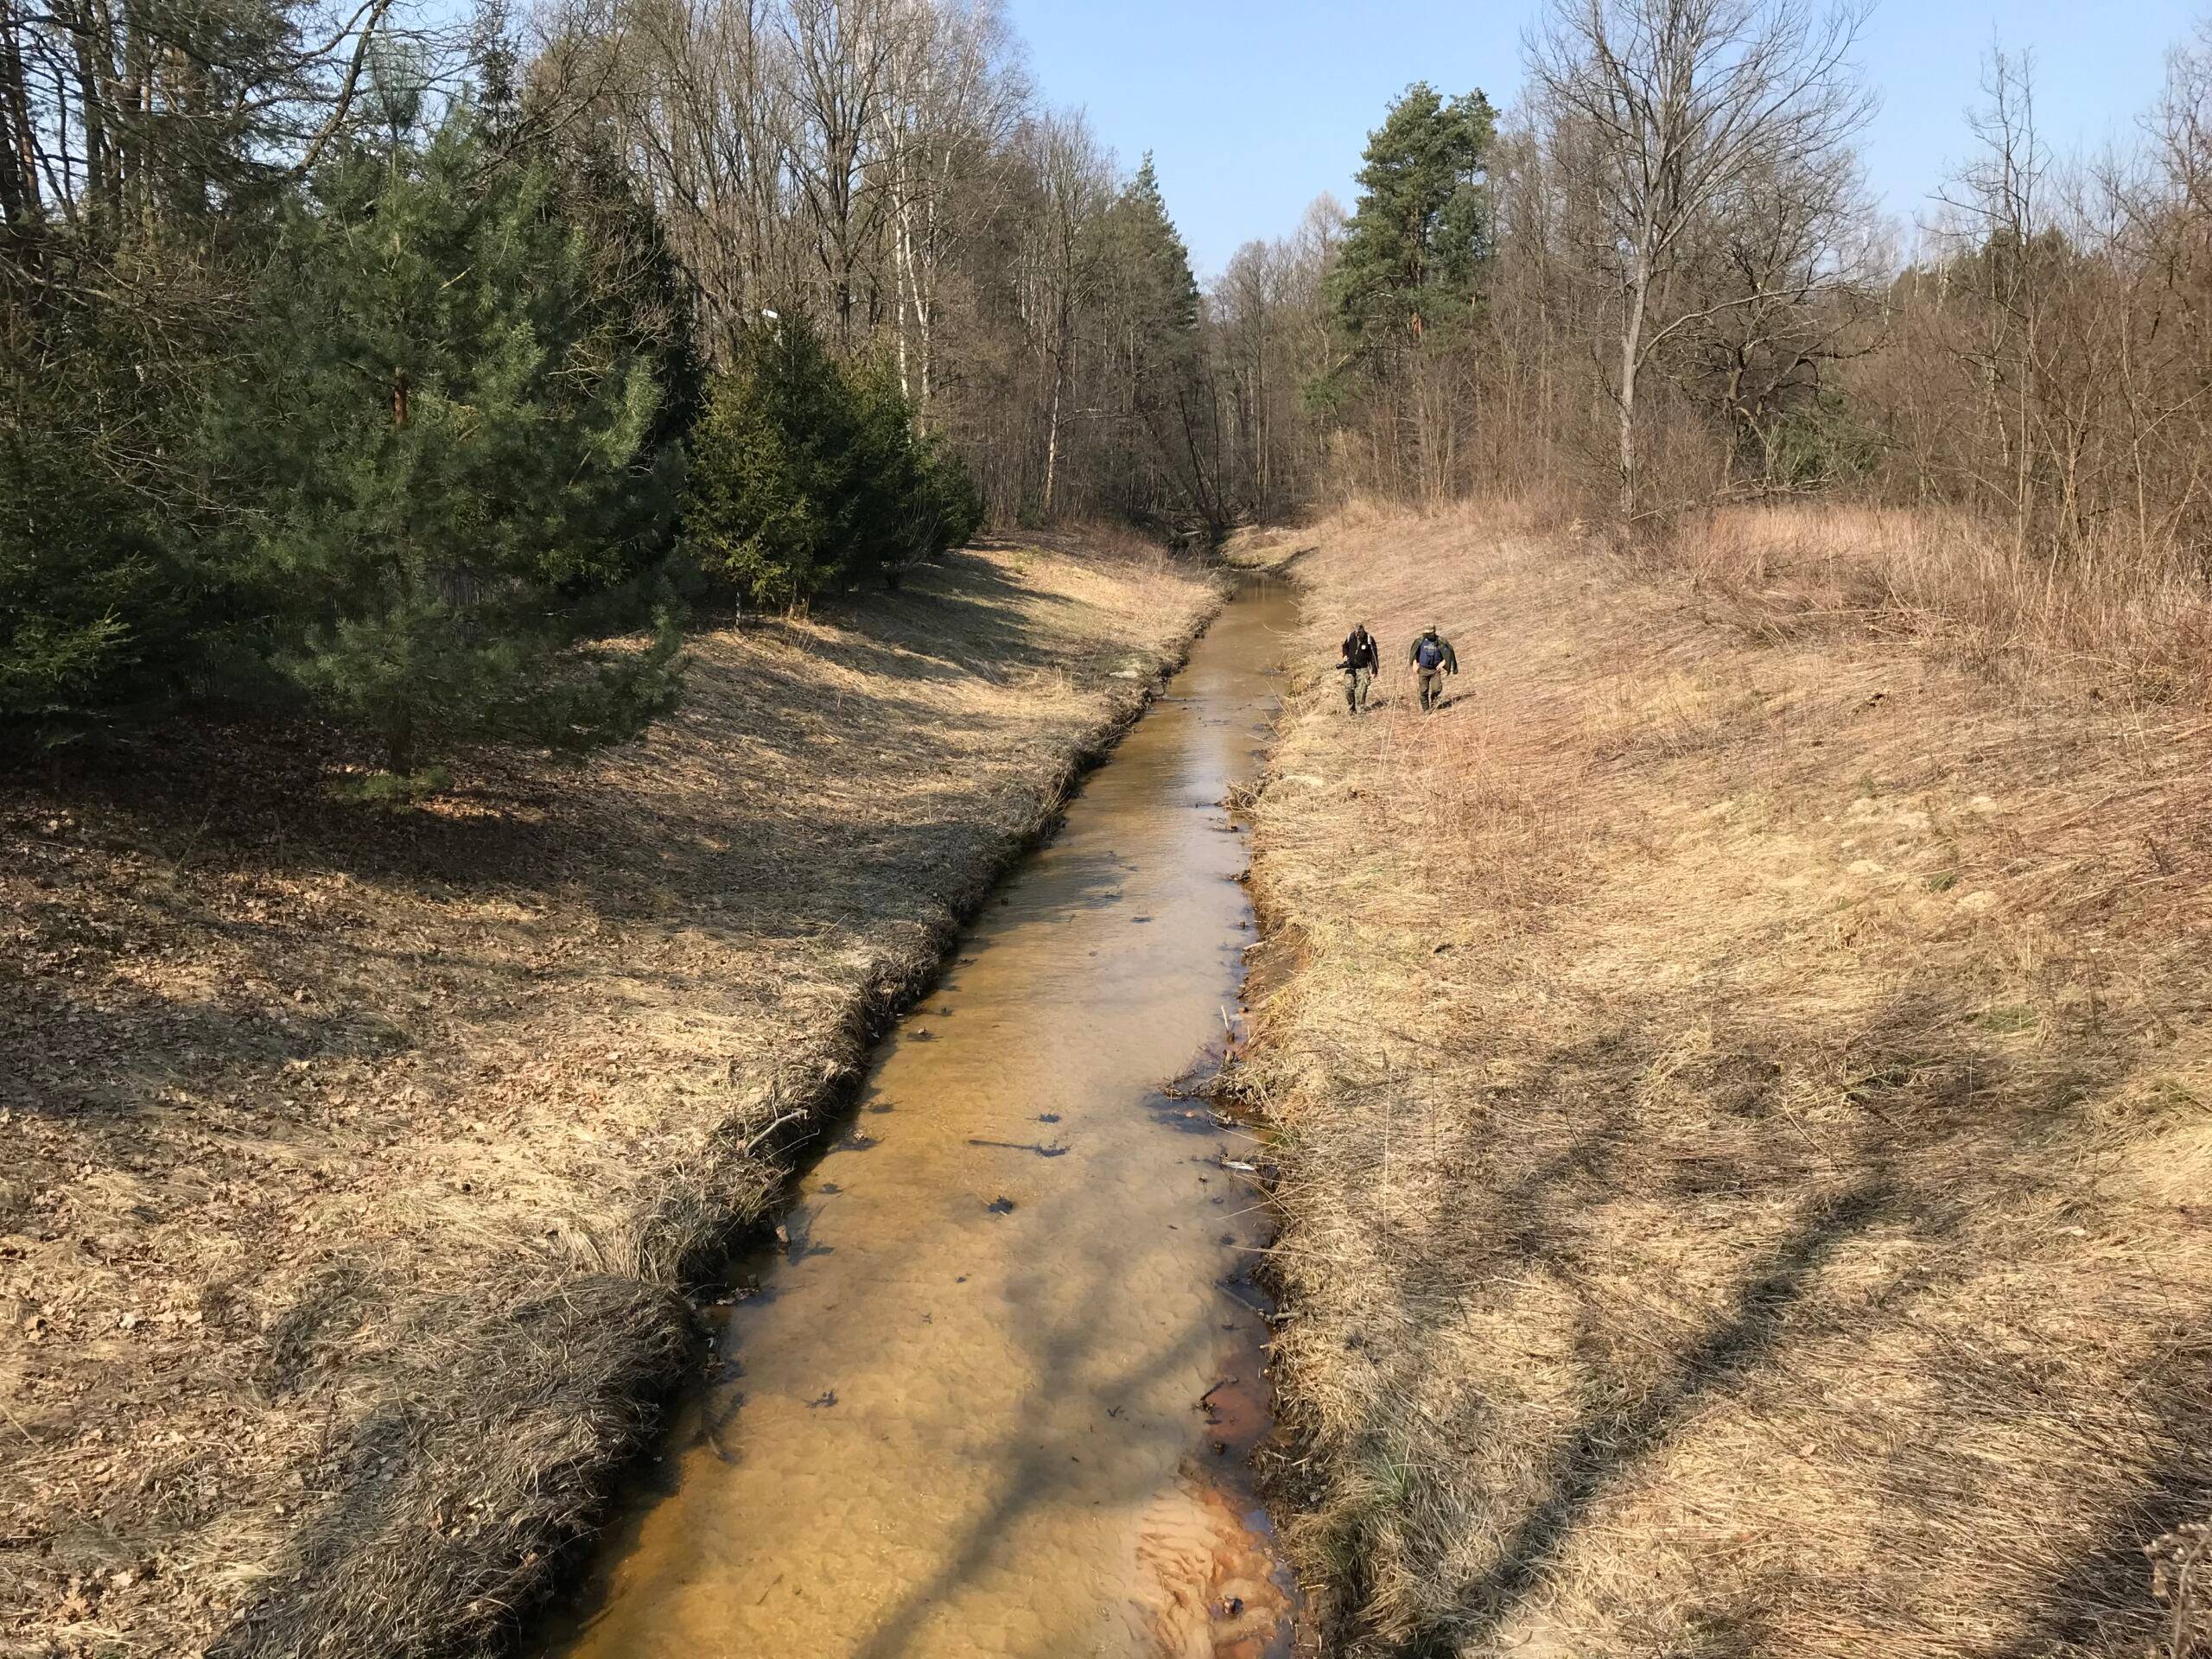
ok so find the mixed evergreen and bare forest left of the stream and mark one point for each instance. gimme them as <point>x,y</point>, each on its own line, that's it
<point>397,379</point>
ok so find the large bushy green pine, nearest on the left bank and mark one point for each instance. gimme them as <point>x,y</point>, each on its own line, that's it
<point>452,448</point>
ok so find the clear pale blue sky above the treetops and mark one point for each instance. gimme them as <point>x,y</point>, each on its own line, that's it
<point>1255,107</point>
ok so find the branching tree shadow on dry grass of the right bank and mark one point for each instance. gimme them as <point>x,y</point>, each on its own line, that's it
<point>1928,1131</point>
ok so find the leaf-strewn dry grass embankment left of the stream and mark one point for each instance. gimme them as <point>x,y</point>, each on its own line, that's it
<point>355,1167</point>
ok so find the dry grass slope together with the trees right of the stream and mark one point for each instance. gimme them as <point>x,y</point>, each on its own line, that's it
<point>1742,1089</point>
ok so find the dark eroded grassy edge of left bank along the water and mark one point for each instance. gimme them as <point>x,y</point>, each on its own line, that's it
<point>625,1344</point>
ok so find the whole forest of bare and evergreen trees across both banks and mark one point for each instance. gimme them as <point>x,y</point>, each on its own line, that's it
<point>390,375</point>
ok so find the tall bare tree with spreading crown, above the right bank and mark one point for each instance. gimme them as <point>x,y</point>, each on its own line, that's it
<point>1662,109</point>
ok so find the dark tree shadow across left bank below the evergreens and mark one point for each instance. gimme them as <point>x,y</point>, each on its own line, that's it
<point>220,846</point>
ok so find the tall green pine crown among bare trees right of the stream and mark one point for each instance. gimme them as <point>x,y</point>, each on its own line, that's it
<point>1415,249</point>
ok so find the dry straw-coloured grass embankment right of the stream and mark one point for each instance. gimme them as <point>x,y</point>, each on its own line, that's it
<point>1746,1107</point>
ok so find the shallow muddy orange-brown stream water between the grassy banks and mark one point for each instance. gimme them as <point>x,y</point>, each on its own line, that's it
<point>992,1390</point>
